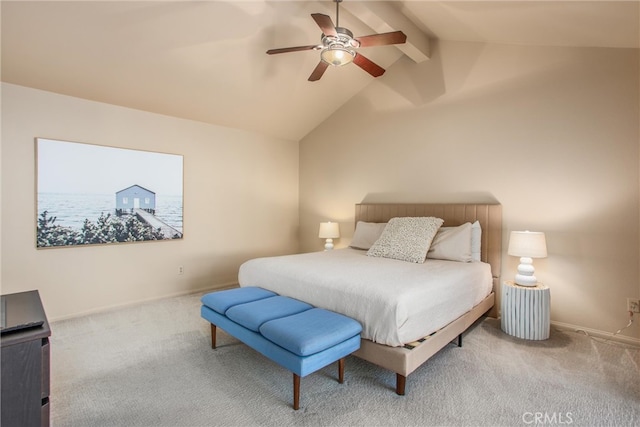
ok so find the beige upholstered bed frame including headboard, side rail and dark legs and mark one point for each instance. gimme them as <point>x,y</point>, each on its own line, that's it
<point>404,361</point>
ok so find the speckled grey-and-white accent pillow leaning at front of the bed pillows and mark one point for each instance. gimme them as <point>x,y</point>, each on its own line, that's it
<point>406,239</point>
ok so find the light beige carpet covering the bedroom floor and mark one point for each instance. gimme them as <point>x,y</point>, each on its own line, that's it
<point>152,365</point>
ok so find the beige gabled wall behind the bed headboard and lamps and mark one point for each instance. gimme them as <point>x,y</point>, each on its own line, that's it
<point>550,133</point>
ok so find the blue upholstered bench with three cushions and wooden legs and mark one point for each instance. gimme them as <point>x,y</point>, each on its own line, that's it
<point>294,334</point>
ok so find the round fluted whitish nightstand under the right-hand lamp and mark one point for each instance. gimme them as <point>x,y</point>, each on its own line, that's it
<point>526,311</point>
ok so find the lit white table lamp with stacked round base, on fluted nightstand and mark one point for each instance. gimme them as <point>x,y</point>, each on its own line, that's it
<point>527,245</point>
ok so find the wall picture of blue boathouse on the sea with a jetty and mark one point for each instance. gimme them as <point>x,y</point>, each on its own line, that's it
<point>92,194</point>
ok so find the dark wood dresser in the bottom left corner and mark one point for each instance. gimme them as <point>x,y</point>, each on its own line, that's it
<point>25,368</point>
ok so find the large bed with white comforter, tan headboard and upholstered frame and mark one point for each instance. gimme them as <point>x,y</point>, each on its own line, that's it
<point>393,339</point>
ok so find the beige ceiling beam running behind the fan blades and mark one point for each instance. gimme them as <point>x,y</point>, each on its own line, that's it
<point>383,18</point>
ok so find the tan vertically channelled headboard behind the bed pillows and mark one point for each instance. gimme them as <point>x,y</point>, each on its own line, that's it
<point>489,216</point>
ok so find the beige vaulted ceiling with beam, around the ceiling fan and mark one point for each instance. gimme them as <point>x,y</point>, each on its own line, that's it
<point>206,61</point>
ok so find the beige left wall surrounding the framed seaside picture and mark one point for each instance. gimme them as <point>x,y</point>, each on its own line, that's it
<point>240,201</point>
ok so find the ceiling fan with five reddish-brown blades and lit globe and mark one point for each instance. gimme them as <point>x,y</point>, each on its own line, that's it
<point>338,46</point>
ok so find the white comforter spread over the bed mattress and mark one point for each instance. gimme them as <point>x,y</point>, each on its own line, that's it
<point>396,302</point>
